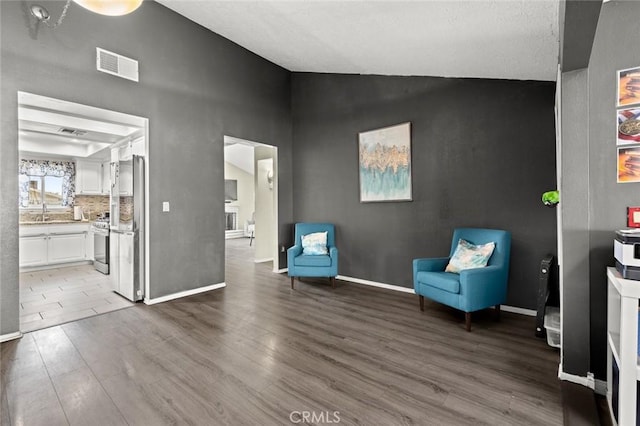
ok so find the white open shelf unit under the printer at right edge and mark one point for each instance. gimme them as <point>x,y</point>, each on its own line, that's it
<point>623,371</point>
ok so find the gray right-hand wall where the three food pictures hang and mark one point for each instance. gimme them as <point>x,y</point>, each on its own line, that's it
<point>615,47</point>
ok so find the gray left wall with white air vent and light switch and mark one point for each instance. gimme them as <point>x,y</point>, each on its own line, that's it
<point>195,87</point>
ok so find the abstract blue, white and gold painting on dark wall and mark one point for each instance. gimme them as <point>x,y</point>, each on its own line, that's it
<point>385,164</point>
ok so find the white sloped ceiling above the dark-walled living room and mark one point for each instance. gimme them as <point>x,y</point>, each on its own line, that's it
<point>505,39</point>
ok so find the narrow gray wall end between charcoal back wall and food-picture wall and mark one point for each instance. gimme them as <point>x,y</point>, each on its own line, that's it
<point>574,205</point>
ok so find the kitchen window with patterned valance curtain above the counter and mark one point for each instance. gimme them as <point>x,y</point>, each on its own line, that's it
<point>46,182</point>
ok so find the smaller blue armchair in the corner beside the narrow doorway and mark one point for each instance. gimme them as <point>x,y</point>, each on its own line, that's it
<point>301,265</point>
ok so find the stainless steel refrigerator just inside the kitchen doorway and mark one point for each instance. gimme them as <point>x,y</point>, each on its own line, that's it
<point>127,227</point>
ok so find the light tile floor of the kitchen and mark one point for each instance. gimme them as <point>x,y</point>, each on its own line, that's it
<point>55,296</point>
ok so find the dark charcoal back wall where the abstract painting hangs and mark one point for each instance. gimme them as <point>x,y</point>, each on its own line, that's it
<point>483,153</point>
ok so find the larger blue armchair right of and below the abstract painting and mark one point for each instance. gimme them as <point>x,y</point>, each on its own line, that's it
<point>472,289</point>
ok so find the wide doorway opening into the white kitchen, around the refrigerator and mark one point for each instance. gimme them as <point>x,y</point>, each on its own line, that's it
<point>65,156</point>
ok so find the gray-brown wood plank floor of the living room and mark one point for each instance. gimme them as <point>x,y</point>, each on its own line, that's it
<point>259,353</point>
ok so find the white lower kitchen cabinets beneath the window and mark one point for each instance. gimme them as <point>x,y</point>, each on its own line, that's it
<point>41,245</point>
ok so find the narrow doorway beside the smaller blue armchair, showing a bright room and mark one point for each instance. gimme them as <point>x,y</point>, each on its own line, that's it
<point>251,200</point>
